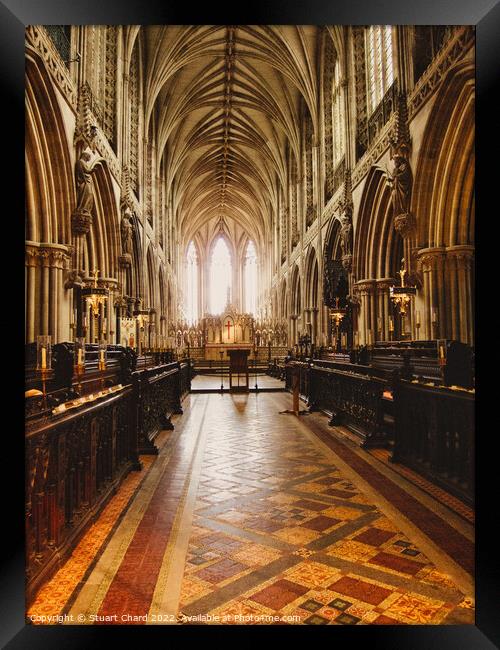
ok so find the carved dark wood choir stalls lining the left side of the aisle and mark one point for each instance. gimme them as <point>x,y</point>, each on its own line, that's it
<point>80,446</point>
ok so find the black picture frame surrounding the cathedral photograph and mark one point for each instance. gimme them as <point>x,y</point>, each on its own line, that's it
<point>14,16</point>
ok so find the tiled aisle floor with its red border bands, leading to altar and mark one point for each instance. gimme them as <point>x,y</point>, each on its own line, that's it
<point>248,516</point>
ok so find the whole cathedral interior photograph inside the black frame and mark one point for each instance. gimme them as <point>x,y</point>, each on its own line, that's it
<point>249,325</point>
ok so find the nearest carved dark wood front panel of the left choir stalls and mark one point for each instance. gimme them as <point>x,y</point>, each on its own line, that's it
<point>74,462</point>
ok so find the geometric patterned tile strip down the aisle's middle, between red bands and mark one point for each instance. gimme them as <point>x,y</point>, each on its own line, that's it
<point>310,547</point>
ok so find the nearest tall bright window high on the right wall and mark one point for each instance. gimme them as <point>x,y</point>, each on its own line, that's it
<point>379,63</point>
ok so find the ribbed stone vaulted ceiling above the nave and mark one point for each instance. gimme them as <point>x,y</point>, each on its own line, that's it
<point>222,102</point>
